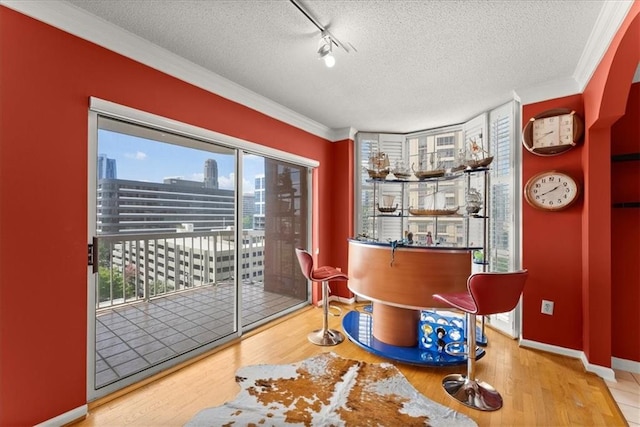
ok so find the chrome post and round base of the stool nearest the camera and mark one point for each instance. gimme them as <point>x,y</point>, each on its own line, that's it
<point>466,389</point>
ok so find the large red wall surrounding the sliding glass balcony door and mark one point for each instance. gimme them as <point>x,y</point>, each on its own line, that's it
<point>46,81</point>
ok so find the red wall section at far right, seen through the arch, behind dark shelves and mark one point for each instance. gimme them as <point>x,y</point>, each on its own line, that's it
<point>625,233</point>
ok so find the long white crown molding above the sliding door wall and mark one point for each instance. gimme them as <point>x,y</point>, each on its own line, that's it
<point>82,24</point>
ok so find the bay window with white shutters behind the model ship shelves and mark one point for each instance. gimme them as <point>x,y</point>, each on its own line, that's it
<point>446,148</point>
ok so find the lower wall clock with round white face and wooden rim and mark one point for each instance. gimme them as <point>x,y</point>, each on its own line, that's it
<point>551,191</point>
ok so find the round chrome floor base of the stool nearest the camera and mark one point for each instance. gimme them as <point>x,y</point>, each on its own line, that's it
<point>472,393</point>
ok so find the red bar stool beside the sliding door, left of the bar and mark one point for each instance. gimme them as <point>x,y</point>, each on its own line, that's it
<point>324,336</point>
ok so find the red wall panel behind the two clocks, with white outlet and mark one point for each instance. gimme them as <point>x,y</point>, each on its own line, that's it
<point>551,248</point>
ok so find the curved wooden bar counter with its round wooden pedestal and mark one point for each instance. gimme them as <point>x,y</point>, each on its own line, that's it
<point>401,282</point>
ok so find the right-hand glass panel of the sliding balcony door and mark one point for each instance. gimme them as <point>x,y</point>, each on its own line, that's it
<point>275,223</point>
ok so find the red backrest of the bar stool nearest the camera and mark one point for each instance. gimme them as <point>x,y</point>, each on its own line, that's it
<point>496,292</point>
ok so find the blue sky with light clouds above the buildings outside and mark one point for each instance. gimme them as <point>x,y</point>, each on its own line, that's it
<point>141,159</point>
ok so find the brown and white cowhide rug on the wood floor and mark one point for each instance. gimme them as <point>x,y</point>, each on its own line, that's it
<point>327,390</point>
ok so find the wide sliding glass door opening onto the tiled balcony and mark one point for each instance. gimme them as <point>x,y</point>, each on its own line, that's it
<point>193,244</point>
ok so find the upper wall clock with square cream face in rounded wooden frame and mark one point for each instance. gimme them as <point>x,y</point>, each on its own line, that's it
<point>552,132</point>
